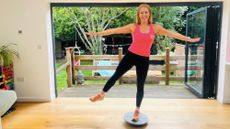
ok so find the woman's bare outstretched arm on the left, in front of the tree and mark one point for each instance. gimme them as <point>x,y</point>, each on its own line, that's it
<point>120,30</point>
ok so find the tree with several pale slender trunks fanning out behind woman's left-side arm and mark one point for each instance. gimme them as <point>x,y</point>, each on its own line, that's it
<point>88,19</point>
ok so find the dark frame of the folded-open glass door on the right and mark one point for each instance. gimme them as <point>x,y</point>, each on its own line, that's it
<point>211,53</point>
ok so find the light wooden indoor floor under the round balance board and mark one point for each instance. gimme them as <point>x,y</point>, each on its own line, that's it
<point>80,113</point>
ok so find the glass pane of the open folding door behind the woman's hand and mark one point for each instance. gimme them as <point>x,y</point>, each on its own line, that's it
<point>196,28</point>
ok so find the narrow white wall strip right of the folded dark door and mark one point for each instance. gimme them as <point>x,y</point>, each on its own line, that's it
<point>224,72</point>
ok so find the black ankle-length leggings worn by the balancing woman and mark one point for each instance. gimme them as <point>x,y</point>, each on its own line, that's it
<point>128,61</point>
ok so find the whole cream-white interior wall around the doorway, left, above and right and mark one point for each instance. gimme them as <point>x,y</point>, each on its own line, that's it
<point>34,77</point>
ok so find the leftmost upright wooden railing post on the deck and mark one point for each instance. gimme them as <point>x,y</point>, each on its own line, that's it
<point>70,66</point>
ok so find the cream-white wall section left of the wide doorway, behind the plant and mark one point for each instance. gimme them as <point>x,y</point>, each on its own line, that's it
<point>34,70</point>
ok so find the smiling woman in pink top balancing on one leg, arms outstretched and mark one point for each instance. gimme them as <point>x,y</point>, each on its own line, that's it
<point>143,33</point>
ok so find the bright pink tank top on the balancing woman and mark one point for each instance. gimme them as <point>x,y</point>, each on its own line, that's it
<point>142,42</point>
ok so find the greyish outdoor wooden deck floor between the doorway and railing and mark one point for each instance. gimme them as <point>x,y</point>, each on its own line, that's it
<point>129,91</point>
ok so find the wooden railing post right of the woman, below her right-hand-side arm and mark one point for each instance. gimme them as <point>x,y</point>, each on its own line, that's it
<point>167,66</point>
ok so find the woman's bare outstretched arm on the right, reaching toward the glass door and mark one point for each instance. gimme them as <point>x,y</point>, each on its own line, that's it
<point>162,31</point>
